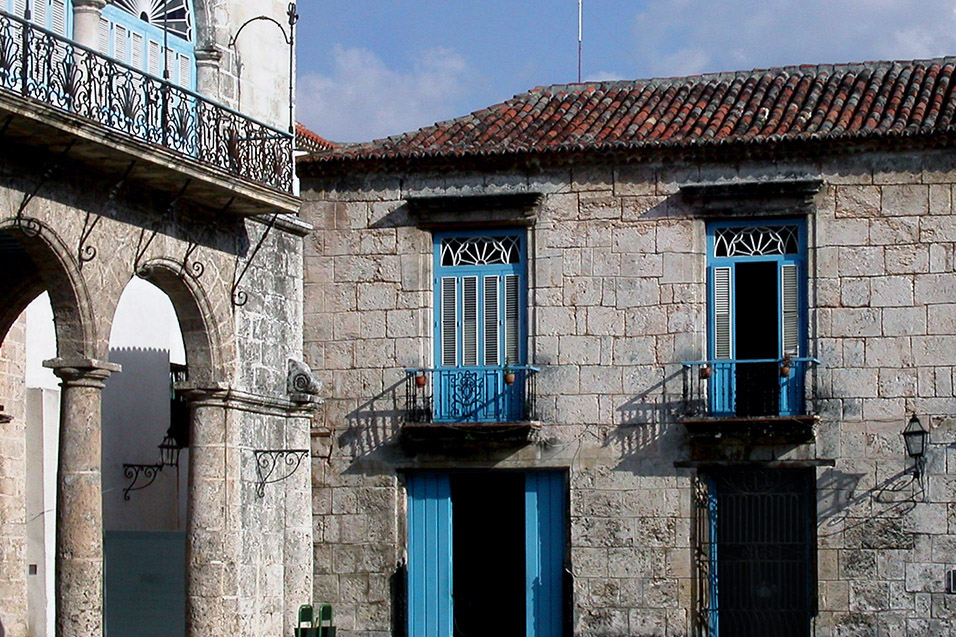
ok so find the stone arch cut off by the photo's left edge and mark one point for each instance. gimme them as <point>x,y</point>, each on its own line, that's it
<point>35,259</point>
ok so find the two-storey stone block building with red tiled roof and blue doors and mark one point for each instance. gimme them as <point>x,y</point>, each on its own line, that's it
<point>643,207</point>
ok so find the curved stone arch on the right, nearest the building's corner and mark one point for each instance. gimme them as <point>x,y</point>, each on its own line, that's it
<point>197,319</point>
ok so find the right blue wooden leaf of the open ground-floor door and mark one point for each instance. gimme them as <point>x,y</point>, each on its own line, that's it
<point>545,541</point>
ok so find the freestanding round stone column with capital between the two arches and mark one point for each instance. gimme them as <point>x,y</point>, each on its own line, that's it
<point>79,502</point>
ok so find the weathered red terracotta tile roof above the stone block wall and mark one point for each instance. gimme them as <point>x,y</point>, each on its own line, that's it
<point>846,101</point>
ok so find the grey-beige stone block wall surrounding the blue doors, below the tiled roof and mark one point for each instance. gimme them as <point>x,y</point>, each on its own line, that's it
<point>617,300</point>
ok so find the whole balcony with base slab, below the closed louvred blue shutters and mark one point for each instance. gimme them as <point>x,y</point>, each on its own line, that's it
<point>494,404</point>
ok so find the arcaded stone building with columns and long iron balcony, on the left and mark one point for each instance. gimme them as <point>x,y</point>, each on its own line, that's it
<point>108,172</point>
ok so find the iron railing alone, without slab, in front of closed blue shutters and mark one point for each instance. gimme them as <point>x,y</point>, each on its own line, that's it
<point>470,394</point>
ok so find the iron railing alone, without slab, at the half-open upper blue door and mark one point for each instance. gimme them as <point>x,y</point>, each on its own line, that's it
<point>745,388</point>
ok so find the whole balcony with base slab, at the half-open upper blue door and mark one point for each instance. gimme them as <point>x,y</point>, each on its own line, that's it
<point>769,394</point>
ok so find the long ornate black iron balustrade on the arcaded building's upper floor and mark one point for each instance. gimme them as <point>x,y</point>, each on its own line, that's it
<point>41,65</point>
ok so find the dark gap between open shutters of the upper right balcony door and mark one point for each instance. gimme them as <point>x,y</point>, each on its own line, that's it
<point>757,337</point>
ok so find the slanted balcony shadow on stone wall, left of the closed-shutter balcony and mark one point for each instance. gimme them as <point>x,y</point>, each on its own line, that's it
<point>376,422</point>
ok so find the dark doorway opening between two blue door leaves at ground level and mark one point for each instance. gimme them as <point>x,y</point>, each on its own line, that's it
<point>488,553</point>
